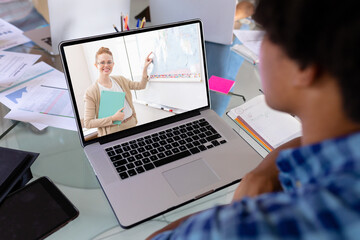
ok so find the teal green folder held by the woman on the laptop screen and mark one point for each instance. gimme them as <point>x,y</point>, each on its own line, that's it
<point>110,103</point>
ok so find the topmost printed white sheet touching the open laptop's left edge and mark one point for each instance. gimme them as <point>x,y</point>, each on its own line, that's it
<point>46,105</point>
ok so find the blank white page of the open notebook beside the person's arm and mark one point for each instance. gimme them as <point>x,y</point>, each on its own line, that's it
<point>274,126</point>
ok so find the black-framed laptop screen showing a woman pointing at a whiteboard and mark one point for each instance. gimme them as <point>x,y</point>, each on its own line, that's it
<point>126,80</point>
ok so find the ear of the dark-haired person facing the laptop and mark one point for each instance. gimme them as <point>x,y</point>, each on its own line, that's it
<point>306,76</point>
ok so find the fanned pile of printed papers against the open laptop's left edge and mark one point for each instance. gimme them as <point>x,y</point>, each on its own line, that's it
<point>40,96</point>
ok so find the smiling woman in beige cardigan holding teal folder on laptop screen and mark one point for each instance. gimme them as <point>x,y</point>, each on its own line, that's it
<point>114,90</point>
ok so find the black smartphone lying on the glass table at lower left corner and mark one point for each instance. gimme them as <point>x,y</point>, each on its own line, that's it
<point>35,211</point>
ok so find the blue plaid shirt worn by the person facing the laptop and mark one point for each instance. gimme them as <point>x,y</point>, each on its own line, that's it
<point>321,200</point>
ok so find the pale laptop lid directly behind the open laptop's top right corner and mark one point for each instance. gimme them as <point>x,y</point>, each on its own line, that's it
<point>217,16</point>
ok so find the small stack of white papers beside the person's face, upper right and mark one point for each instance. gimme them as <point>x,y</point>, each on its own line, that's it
<point>251,43</point>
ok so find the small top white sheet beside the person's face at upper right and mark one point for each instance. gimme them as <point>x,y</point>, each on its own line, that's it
<point>251,39</point>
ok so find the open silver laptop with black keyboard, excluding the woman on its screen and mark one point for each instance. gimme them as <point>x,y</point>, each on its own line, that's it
<point>180,150</point>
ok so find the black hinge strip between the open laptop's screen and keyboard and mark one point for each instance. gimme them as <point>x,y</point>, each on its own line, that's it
<point>149,126</point>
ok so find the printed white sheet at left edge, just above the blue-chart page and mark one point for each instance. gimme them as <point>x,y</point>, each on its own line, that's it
<point>13,66</point>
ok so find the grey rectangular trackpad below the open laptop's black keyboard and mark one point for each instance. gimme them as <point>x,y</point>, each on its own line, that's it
<point>190,177</point>
